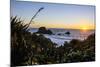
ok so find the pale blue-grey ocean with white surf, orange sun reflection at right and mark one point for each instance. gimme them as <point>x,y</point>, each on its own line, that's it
<point>59,37</point>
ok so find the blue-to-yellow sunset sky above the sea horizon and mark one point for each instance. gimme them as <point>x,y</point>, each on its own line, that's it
<point>55,15</point>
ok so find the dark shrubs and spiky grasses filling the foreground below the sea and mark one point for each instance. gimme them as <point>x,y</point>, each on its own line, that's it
<point>32,48</point>
